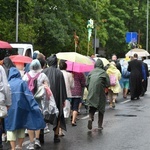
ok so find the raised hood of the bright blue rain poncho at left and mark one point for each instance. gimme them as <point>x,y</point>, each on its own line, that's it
<point>14,73</point>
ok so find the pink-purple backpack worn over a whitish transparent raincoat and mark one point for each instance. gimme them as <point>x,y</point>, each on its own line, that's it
<point>32,83</point>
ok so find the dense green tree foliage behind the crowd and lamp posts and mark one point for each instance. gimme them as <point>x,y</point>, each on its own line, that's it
<point>50,24</point>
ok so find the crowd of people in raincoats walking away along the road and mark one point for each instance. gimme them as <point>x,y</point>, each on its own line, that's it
<point>25,112</point>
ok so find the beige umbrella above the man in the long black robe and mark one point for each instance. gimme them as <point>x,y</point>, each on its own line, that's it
<point>140,52</point>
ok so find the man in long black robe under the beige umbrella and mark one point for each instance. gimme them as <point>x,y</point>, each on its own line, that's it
<point>135,80</point>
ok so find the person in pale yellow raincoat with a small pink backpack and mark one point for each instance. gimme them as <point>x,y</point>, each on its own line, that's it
<point>114,89</point>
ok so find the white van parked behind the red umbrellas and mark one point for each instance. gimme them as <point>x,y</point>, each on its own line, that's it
<point>25,49</point>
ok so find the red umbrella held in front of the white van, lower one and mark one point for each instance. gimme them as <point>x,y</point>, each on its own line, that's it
<point>20,59</point>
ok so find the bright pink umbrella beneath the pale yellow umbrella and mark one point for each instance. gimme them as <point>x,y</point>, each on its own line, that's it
<point>78,67</point>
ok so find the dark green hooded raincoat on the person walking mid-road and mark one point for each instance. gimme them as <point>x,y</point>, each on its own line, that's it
<point>97,81</point>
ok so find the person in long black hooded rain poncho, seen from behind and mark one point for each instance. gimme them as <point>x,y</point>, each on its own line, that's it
<point>58,88</point>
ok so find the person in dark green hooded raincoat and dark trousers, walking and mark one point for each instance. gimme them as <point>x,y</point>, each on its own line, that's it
<point>96,82</point>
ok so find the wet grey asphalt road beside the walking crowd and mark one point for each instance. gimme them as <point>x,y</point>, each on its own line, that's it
<point>127,127</point>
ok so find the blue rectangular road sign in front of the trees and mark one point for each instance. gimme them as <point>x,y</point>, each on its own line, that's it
<point>131,37</point>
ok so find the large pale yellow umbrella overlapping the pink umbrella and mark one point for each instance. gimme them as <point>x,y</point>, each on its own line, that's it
<point>74,57</point>
